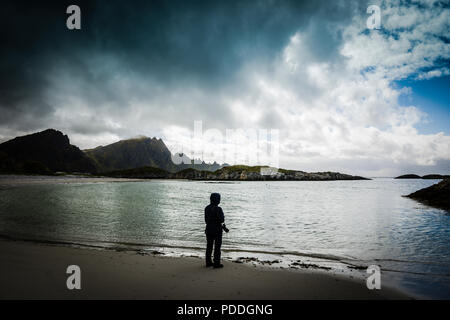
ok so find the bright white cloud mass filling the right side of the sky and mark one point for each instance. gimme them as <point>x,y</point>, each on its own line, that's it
<point>347,109</point>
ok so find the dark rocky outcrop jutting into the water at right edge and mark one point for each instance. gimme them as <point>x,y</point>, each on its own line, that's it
<point>437,195</point>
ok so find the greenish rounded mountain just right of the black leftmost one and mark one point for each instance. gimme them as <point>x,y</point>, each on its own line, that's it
<point>141,152</point>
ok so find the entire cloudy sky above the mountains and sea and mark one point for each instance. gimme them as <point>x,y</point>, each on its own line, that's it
<point>339,96</point>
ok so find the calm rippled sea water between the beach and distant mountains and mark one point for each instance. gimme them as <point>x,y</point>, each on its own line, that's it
<point>334,223</point>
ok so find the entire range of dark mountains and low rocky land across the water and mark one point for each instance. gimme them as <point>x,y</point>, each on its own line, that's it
<point>50,151</point>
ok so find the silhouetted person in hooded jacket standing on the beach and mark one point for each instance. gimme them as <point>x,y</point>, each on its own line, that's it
<point>214,220</point>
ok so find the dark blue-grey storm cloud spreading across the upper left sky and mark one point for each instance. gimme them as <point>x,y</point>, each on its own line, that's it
<point>158,46</point>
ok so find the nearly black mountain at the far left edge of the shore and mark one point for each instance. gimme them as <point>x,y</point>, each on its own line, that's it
<point>44,152</point>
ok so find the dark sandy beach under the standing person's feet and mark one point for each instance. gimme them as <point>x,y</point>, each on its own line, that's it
<point>31,270</point>
